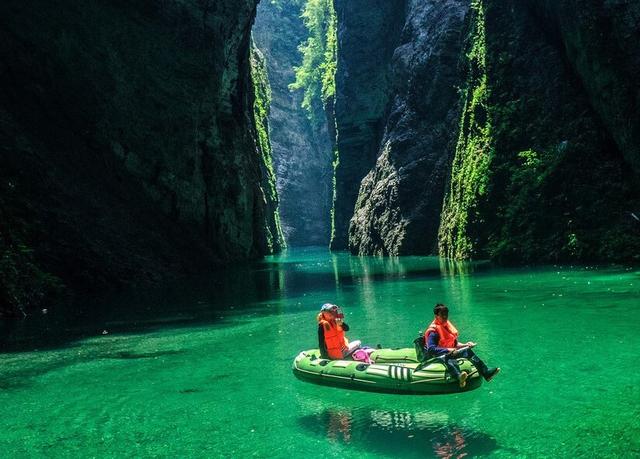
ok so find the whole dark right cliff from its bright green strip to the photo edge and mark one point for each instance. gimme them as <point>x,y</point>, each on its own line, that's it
<point>546,166</point>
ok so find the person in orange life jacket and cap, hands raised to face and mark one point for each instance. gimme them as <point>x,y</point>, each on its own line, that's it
<point>331,339</point>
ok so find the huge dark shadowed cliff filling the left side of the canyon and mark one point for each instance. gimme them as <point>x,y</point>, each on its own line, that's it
<point>128,151</point>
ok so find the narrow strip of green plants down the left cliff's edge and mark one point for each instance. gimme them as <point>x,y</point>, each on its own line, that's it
<point>261,105</point>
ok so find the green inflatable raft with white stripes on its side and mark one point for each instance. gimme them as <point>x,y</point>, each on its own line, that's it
<point>394,371</point>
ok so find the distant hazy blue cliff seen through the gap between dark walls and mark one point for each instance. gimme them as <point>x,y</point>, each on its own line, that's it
<point>301,148</point>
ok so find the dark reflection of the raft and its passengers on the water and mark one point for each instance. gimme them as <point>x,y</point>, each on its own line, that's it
<point>397,433</point>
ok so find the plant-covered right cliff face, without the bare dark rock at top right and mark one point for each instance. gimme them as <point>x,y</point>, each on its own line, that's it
<point>537,176</point>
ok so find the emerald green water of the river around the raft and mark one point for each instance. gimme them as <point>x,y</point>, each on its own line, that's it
<point>203,369</point>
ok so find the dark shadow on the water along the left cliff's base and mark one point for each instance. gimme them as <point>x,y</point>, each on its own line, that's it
<point>203,300</point>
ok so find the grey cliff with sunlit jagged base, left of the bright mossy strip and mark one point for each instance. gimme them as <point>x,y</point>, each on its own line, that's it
<point>398,207</point>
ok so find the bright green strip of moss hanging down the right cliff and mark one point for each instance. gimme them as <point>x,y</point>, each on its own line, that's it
<point>470,168</point>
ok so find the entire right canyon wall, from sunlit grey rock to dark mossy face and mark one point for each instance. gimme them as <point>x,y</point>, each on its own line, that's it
<point>522,115</point>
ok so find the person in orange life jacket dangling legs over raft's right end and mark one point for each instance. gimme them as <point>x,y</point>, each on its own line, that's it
<point>441,339</point>
